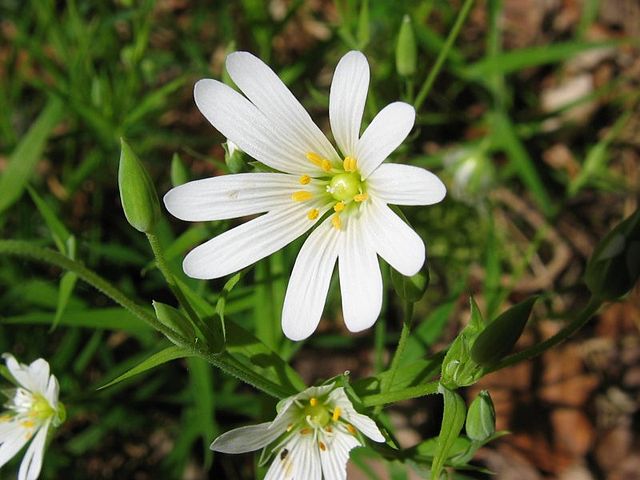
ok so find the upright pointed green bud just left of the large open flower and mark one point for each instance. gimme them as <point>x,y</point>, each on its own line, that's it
<point>137,193</point>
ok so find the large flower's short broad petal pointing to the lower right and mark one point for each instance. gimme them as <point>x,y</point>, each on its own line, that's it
<point>394,240</point>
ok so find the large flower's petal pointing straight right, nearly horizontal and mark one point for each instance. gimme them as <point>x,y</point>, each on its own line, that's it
<point>405,185</point>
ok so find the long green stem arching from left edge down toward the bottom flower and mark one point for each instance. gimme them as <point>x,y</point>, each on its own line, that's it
<point>225,361</point>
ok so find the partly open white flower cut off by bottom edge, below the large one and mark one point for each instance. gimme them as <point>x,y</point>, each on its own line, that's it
<point>311,436</point>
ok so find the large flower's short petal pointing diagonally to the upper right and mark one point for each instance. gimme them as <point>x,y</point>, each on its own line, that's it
<point>385,133</point>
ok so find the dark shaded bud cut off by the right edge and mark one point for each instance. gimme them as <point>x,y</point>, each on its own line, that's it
<point>614,266</point>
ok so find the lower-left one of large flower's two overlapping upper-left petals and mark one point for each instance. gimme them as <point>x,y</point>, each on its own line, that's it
<point>242,123</point>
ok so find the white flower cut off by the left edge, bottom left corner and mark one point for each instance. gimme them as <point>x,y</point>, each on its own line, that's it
<point>32,408</point>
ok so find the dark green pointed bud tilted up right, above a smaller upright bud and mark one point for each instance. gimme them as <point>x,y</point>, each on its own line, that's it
<point>499,337</point>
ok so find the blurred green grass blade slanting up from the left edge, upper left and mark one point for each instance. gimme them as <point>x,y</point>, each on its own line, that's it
<point>24,158</point>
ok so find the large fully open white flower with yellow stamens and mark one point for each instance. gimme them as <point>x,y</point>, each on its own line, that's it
<point>346,194</point>
